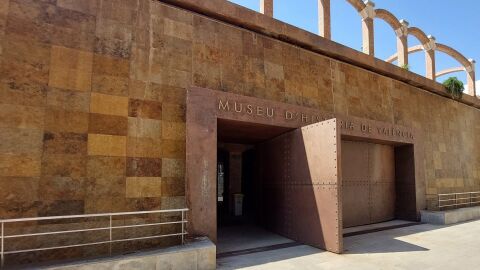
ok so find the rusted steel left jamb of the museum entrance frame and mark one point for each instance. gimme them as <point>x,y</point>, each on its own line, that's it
<point>201,149</point>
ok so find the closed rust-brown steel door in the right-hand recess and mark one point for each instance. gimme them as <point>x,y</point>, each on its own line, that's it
<point>368,172</point>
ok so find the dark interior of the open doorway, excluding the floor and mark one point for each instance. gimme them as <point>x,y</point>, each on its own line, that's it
<point>238,170</point>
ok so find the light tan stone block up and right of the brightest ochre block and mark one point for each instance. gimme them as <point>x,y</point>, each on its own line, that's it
<point>144,128</point>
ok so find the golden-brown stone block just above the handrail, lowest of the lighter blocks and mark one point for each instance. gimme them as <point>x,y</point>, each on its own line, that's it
<point>140,187</point>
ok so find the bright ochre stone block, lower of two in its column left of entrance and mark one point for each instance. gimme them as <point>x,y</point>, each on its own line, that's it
<point>106,145</point>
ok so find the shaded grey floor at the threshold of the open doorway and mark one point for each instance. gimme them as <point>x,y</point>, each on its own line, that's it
<point>243,237</point>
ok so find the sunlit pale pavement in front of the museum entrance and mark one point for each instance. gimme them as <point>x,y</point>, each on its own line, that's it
<point>416,247</point>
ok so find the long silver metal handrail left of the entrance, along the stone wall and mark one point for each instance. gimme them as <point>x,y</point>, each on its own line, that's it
<point>110,228</point>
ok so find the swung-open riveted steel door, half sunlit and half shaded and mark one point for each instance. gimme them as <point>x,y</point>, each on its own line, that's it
<point>301,186</point>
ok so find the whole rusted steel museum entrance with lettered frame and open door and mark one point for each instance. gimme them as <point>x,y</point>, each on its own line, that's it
<point>298,154</point>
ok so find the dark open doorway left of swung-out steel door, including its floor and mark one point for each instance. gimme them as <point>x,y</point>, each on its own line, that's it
<point>240,209</point>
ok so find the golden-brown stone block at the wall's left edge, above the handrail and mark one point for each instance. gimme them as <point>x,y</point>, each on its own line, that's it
<point>20,165</point>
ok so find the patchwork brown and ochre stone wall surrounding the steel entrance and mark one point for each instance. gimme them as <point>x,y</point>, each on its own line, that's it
<point>92,102</point>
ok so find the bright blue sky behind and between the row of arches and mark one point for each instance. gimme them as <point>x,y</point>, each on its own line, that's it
<point>453,23</point>
